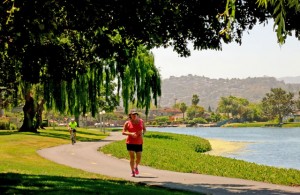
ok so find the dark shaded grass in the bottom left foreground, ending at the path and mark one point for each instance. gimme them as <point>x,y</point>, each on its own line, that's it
<point>13,183</point>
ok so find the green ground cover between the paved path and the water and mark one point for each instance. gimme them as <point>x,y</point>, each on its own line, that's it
<point>178,153</point>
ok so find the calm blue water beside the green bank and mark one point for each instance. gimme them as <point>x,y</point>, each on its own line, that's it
<point>279,147</point>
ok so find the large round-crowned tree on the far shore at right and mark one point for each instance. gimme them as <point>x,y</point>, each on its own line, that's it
<point>278,103</point>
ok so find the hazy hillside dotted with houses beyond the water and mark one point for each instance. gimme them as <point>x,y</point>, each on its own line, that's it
<point>181,89</point>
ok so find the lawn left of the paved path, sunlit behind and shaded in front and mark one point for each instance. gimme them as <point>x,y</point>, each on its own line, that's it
<point>23,171</point>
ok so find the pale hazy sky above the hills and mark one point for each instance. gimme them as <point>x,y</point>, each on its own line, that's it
<point>259,55</point>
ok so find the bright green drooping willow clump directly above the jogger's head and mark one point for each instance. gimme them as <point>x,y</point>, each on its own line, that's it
<point>141,81</point>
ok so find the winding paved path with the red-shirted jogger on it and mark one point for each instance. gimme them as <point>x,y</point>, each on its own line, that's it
<point>84,155</point>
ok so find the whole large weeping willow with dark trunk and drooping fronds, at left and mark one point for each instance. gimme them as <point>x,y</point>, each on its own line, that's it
<point>75,64</point>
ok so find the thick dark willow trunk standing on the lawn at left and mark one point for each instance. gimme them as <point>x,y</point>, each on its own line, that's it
<point>29,110</point>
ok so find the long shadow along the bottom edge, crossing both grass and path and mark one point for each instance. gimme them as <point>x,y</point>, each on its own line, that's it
<point>13,183</point>
